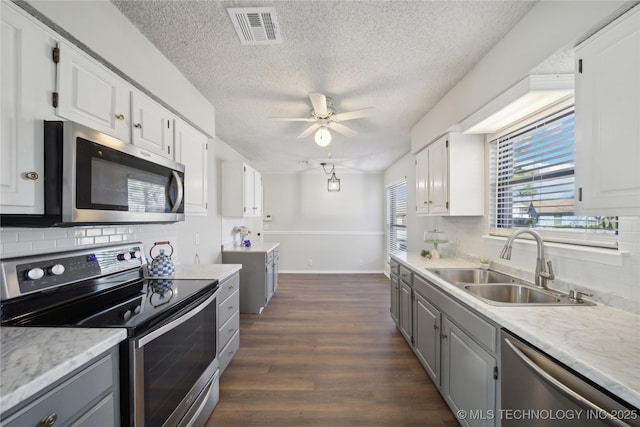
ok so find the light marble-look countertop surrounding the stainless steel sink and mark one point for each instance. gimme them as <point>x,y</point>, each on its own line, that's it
<point>600,342</point>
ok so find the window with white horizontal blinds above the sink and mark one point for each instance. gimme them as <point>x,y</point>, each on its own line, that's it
<point>533,184</point>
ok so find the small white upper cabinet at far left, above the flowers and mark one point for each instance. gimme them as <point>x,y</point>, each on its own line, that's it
<point>241,190</point>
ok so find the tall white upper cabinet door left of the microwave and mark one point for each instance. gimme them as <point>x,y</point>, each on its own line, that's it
<point>28,80</point>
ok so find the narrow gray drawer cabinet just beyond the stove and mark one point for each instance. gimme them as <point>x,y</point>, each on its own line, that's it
<point>228,320</point>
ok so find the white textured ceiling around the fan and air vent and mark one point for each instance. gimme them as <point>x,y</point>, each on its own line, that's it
<point>398,57</point>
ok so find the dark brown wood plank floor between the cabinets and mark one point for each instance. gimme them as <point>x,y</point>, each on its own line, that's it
<point>325,352</point>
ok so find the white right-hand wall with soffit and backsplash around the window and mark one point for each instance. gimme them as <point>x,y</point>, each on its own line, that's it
<point>613,276</point>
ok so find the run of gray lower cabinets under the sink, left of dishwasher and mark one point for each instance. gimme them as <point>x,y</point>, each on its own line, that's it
<point>456,346</point>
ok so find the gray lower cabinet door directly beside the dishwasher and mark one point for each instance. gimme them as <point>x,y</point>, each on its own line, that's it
<point>468,381</point>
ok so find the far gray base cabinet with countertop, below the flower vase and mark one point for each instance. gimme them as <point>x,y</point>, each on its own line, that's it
<point>258,277</point>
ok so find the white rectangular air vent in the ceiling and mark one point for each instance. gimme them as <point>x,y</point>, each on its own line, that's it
<point>255,25</point>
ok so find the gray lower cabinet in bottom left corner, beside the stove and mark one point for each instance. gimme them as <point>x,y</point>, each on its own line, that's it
<point>87,397</point>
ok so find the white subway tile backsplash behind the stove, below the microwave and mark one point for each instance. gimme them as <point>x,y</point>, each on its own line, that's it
<point>31,241</point>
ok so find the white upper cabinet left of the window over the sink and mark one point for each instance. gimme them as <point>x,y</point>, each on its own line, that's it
<point>450,176</point>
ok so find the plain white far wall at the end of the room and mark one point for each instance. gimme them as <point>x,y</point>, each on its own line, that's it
<point>325,232</point>
